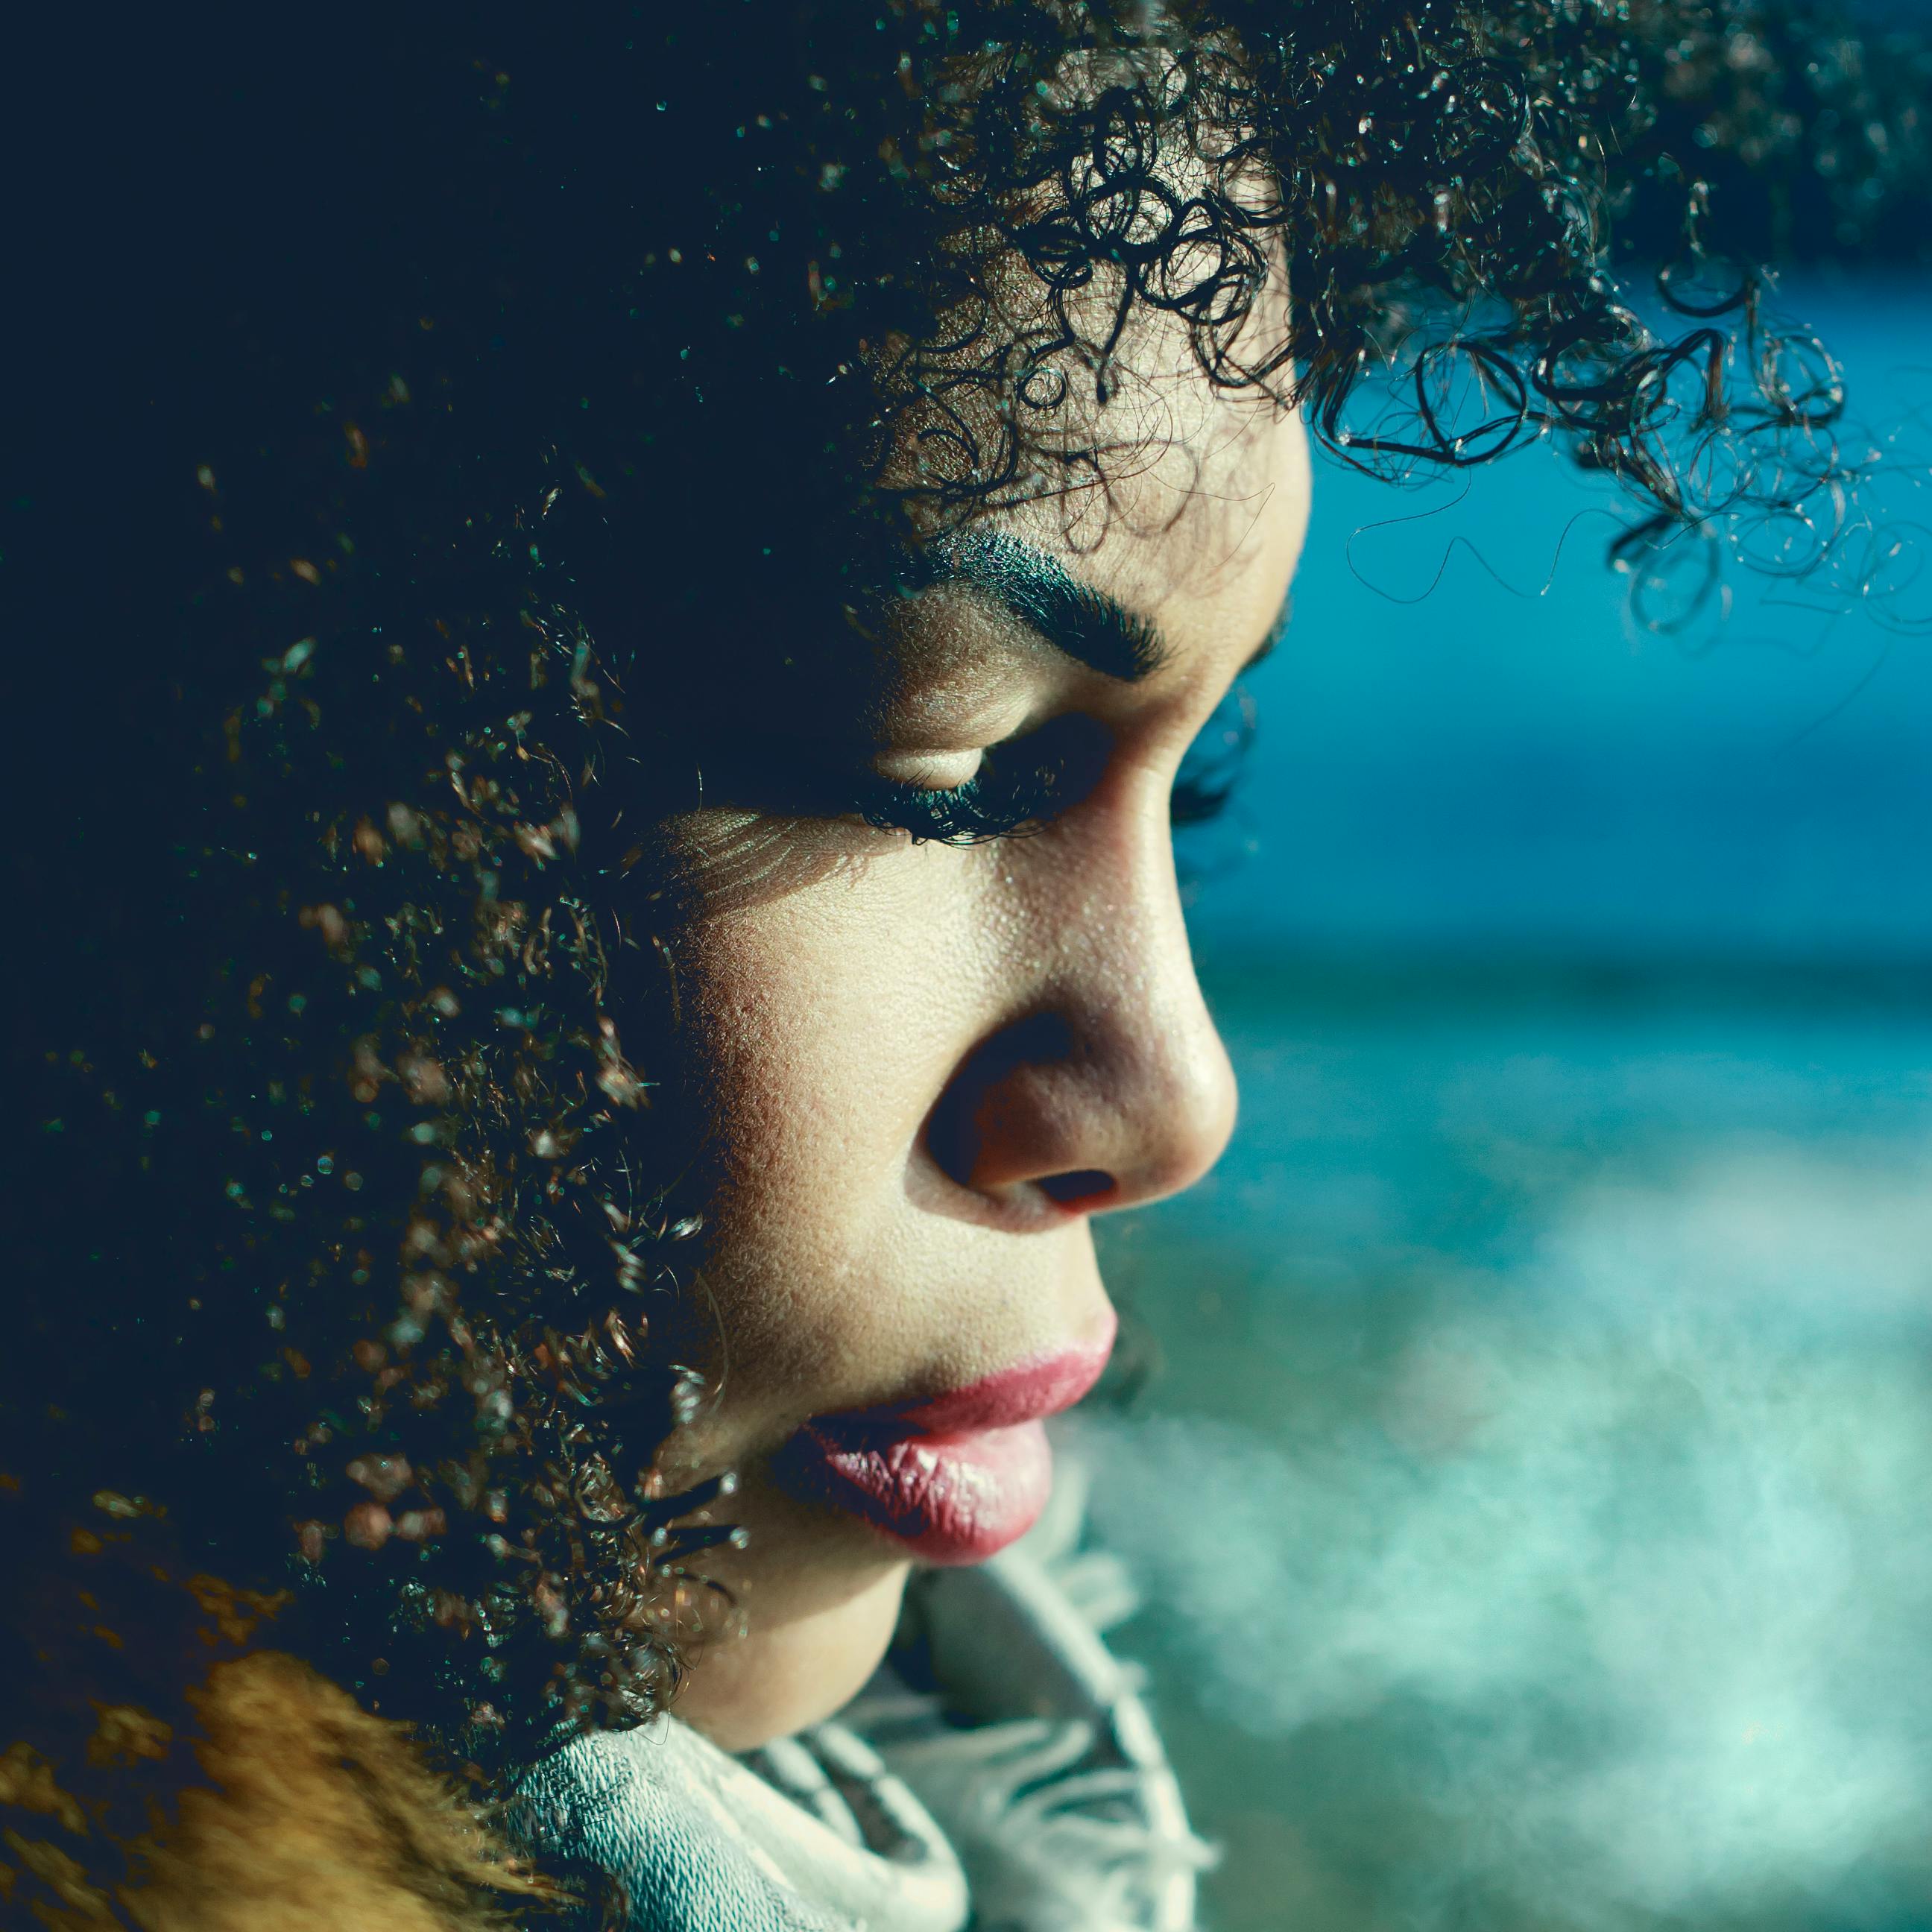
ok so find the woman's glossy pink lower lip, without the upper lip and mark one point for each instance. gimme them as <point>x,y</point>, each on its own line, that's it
<point>946,1498</point>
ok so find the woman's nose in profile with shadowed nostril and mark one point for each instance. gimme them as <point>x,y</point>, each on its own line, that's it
<point>1108,1083</point>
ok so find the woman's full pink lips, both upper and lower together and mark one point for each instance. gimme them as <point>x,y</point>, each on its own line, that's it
<point>957,1477</point>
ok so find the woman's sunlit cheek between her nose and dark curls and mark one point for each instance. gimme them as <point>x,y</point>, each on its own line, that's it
<point>826,1025</point>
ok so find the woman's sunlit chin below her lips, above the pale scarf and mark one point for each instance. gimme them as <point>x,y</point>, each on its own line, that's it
<point>785,1676</point>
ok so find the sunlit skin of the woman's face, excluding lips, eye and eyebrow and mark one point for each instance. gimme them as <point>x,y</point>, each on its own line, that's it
<point>1037,990</point>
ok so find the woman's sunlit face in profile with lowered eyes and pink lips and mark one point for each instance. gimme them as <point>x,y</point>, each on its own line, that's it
<point>936,1064</point>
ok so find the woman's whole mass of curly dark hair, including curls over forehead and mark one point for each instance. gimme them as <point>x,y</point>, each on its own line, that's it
<point>517,384</point>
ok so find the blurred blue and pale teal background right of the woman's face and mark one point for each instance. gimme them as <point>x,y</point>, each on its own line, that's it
<point>1529,1485</point>
